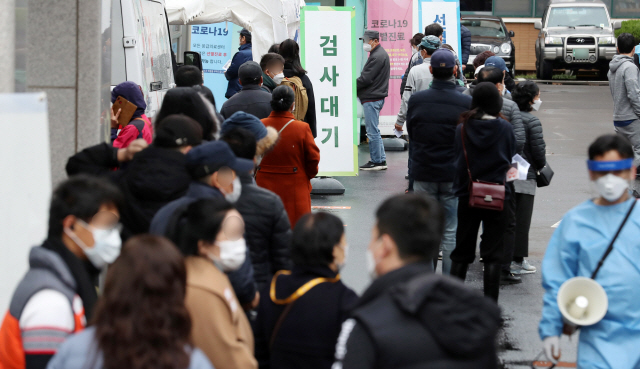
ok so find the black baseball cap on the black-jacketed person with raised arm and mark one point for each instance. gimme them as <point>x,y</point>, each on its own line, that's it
<point>177,130</point>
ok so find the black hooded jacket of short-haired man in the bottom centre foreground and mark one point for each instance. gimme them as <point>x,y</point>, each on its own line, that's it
<point>412,318</point>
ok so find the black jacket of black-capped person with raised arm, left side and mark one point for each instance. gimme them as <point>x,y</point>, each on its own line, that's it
<point>155,177</point>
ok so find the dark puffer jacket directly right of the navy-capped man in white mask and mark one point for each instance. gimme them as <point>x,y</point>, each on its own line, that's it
<point>267,230</point>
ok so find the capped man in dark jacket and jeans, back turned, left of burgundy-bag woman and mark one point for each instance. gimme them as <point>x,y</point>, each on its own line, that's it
<point>432,117</point>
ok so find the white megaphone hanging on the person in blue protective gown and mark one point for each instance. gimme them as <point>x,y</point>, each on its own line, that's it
<point>582,301</point>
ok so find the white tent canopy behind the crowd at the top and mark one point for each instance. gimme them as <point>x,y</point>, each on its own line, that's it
<point>270,21</point>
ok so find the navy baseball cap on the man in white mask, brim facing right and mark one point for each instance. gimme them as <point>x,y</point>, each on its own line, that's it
<point>208,158</point>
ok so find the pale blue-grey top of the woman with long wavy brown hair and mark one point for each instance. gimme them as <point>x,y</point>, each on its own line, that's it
<point>79,352</point>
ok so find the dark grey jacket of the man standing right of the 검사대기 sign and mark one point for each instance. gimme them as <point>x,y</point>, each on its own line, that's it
<point>373,83</point>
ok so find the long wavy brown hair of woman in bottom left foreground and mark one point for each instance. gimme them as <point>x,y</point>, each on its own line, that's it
<point>141,320</point>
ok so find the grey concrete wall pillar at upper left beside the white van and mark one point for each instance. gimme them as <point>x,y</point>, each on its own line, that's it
<point>65,59</point>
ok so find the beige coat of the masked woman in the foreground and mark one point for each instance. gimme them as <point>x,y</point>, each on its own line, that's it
<point>219,325</point>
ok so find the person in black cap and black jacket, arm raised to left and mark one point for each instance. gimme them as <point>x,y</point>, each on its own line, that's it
<point>149,180</point>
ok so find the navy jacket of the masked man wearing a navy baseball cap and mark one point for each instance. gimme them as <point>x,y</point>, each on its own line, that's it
<point>242,279</point>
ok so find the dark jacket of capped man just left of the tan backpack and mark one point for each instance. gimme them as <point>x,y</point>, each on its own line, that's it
<point>252,99</point>
